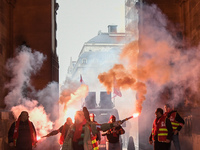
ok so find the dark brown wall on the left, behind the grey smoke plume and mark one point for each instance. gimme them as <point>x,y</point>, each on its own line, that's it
<point>32,23</point>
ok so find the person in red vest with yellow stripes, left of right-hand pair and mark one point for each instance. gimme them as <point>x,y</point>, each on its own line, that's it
<point>161,131</point>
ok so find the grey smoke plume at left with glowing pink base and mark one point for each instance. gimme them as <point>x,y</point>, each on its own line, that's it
<point>43,111</point>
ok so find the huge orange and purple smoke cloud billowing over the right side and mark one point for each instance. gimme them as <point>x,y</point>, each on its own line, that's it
<point>161,61</point>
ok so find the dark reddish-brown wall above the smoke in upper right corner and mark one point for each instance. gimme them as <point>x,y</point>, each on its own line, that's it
<point>184,15</point>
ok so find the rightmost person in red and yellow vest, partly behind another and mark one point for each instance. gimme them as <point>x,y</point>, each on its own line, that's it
<point>177,124</point>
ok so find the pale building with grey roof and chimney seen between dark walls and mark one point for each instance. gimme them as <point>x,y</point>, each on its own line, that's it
<point>97,54</point>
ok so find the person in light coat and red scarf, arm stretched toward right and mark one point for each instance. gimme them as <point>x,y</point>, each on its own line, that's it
<point>81,135</point>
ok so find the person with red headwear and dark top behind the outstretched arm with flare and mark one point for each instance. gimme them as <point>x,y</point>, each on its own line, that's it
<point>113,136</point>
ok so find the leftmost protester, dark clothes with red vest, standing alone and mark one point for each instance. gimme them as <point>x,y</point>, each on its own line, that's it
<point>22,134</point>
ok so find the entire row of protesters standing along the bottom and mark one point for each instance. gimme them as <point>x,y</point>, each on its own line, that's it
<point>84,133</point>
